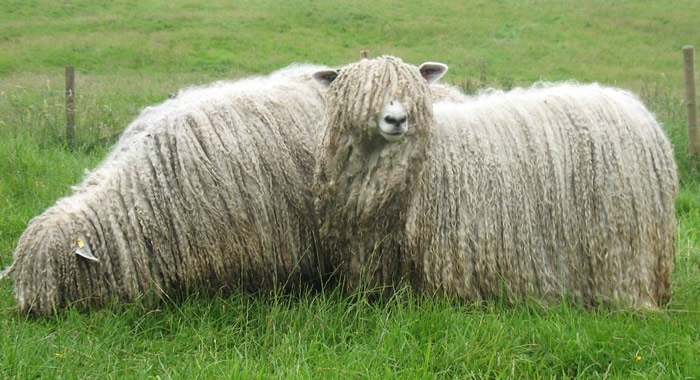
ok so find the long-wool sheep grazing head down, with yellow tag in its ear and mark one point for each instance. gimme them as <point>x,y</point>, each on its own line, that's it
<point>208,191</point>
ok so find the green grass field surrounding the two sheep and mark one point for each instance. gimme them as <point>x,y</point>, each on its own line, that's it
<point>129,54</point>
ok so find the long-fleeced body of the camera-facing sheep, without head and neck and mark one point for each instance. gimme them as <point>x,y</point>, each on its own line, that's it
<point>547,191</point>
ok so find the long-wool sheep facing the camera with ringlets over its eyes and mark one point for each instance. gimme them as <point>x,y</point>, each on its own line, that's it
<point>560,191</point>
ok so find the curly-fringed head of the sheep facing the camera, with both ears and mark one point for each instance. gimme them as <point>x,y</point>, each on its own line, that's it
<point>380,97</point>
